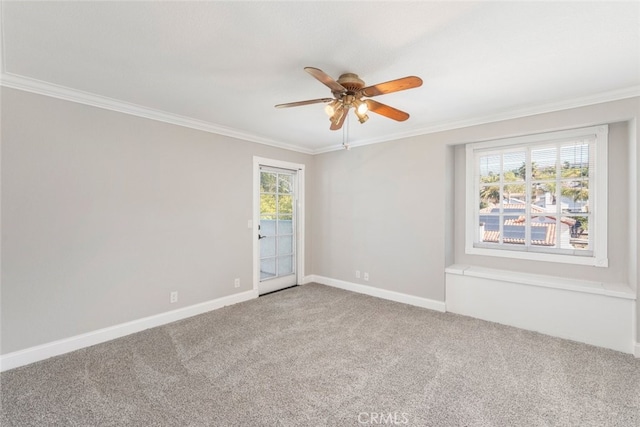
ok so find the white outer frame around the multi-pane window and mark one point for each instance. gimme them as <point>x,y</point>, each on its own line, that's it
<point>597,198</point>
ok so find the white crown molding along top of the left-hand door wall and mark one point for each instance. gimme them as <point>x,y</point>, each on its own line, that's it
<point>40,87</point>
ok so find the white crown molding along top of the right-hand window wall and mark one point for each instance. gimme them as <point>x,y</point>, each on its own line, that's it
<point>614,95</point>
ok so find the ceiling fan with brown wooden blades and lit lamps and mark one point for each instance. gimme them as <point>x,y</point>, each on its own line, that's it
<point>349,90</point>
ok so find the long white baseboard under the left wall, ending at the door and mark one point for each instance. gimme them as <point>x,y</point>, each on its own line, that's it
<point>66,345</point>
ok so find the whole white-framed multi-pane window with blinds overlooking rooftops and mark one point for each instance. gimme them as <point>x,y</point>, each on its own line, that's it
<point>540,197</point>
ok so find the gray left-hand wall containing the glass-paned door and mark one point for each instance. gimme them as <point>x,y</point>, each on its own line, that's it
<point>103,214</point>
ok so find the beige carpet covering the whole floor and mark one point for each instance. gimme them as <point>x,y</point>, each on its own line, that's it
<point>316,356</point>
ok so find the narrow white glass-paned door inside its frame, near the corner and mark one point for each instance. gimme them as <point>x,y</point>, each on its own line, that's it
<point>277,227</point>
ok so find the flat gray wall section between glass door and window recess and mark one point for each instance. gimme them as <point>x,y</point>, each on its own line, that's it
<point>381,209</point>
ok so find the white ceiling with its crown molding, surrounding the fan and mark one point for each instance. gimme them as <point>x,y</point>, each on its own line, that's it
<point>222,66</point>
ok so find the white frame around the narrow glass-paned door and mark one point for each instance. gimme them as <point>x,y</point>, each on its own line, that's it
<point>300,214</point>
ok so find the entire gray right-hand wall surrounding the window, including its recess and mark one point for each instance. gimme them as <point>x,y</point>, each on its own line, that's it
<point>397,209</point>
